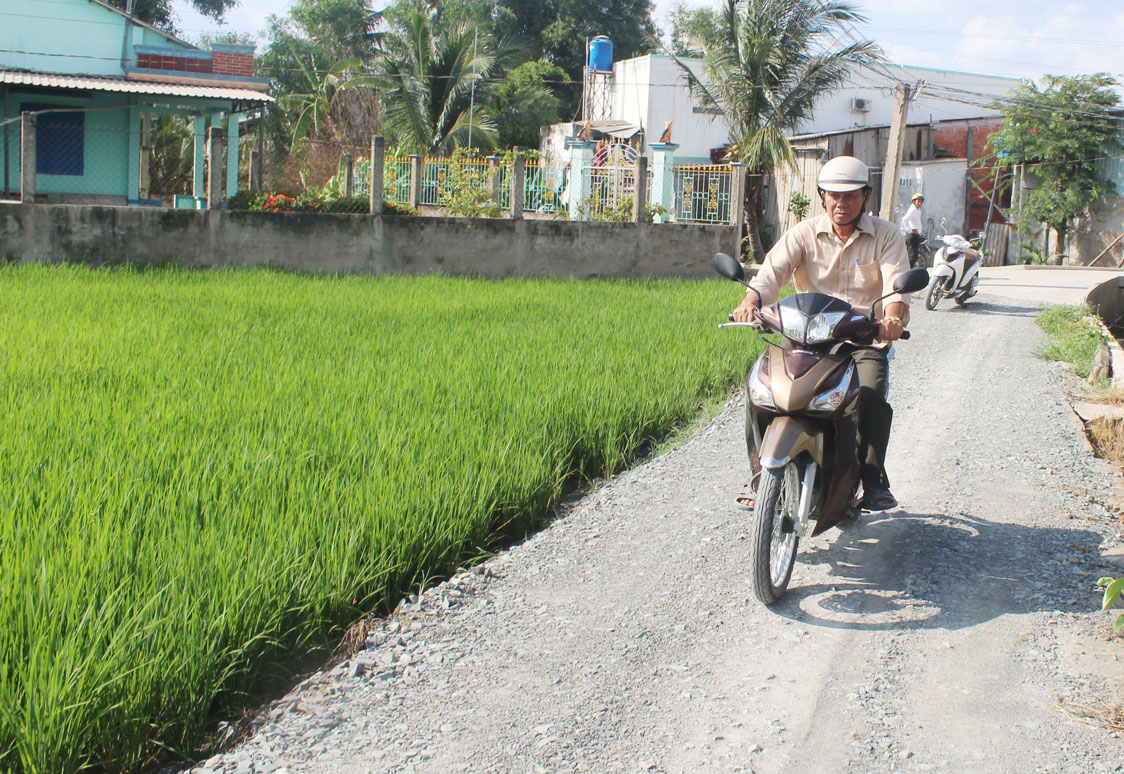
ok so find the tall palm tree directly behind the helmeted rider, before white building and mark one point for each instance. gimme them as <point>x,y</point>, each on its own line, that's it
<point>767,63</point>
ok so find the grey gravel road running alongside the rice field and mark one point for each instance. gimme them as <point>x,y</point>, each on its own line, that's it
<point>949,635</point>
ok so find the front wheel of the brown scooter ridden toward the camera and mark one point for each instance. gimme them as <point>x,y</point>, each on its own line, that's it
<point>773,551</point>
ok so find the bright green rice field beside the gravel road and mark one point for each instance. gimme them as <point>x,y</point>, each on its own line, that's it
<point>206,475</point>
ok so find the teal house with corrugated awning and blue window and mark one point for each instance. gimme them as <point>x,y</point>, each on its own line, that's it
<point>97,83</point>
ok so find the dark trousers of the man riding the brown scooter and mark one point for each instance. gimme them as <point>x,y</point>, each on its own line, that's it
<point>875,420</point>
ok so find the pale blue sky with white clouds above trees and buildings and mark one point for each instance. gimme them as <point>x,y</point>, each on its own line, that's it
<point>1017,39</point>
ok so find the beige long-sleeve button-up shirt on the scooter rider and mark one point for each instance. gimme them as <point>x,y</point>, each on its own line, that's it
<point>858,271</point>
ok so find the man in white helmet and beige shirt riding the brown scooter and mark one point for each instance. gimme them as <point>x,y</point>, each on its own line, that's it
<point>856,258</point>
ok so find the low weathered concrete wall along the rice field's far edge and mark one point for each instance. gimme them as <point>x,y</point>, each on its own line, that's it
<point>360,244</point>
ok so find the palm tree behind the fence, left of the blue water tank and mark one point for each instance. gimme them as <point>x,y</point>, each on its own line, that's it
<point>429,78</point>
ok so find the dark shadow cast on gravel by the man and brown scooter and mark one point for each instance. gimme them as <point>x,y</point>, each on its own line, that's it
<point>910,571</point>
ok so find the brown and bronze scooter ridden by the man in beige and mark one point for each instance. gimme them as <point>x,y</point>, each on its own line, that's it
<point>804,406</point>
